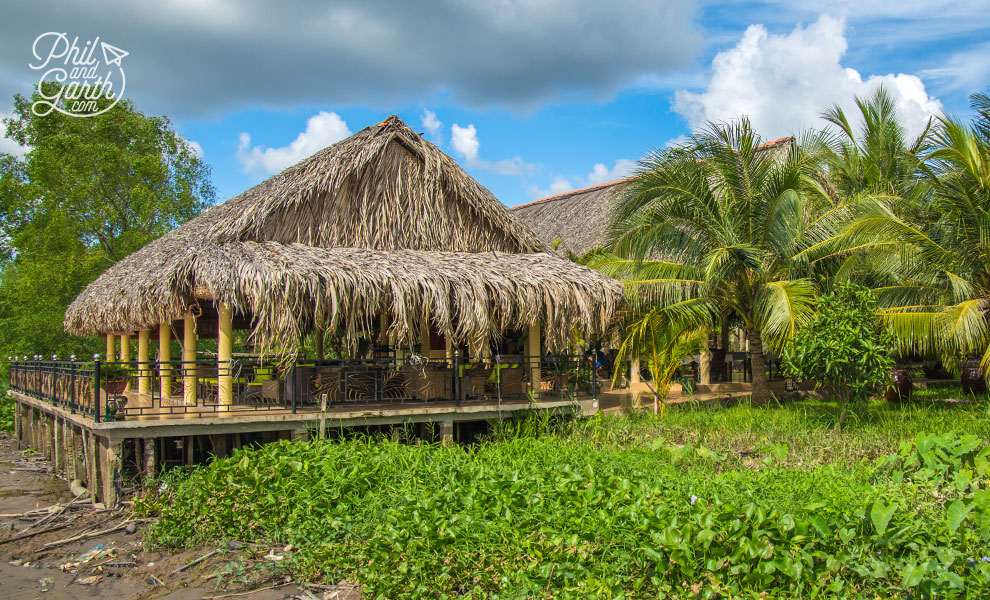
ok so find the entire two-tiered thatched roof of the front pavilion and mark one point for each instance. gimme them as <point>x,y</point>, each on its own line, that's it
<point>382,223</point>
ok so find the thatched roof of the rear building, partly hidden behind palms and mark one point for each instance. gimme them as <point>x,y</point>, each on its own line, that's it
<point>576,221</point>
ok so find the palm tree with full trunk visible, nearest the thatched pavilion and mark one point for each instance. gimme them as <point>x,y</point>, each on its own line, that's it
<point>722,226</point>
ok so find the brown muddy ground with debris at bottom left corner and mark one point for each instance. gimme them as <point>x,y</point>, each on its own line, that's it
<point>106,558</point>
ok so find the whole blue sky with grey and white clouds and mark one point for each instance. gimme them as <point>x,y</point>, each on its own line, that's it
<point>531,98</point>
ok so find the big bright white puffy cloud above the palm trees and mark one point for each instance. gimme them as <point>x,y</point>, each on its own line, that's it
<point>783,82</point>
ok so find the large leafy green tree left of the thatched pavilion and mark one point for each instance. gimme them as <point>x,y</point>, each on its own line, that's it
<point>88,192</point>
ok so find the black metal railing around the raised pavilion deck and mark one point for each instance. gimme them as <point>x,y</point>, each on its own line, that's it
<point>111,391</point>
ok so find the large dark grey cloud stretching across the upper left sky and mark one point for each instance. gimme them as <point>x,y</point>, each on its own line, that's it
<point>191,59</point>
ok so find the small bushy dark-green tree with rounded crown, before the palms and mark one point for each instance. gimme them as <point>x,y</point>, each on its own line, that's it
<point>844,348</point>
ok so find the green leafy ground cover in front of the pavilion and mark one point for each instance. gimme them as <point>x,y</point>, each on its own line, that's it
<point>705,503</point>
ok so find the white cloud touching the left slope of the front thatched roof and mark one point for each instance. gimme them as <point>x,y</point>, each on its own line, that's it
<point>322,130</point>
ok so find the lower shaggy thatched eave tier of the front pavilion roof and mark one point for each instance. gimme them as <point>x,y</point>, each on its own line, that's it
<point>285,289</point>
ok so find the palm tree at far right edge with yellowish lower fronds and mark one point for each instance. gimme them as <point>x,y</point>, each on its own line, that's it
<point>940,299</point>
